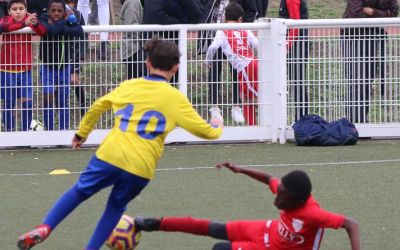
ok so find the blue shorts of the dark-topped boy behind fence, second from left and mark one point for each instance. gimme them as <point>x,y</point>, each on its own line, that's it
<point>53,77</point>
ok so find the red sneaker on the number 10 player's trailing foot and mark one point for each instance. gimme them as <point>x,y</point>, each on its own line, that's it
<point>36,236</point>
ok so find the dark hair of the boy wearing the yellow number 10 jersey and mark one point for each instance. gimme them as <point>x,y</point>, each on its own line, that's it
<point>161,53</point>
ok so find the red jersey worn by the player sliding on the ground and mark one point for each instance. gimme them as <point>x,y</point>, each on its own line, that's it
<point>301,228</point>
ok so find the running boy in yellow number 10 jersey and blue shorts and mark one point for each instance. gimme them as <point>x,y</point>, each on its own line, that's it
<point>146,110</point>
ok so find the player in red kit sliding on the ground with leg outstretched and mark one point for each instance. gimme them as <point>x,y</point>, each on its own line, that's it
<point>300,226</point>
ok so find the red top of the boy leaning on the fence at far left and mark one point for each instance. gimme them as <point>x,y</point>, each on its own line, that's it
<point>16,49</point>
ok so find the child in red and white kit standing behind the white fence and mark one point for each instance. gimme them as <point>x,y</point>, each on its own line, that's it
<point>237,46</point>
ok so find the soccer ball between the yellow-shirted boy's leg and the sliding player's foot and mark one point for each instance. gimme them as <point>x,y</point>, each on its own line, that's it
<point>124,236</point>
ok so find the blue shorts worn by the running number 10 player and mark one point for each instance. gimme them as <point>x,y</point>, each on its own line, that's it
<point>99,175</point>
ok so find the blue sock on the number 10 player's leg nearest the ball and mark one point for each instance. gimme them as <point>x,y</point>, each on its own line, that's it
<point>107,223</point>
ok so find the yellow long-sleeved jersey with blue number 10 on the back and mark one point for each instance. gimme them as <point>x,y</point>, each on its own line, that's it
<point>146,110</point>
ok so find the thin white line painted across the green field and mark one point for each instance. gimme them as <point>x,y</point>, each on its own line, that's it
<point>362,163</point>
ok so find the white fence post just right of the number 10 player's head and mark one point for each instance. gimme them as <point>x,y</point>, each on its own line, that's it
<point>183,60</point>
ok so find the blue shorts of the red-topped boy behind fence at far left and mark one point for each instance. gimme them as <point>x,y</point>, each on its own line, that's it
<point>16,85</point>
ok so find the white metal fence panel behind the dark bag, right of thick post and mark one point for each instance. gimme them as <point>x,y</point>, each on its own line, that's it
<point>347,68</point>
